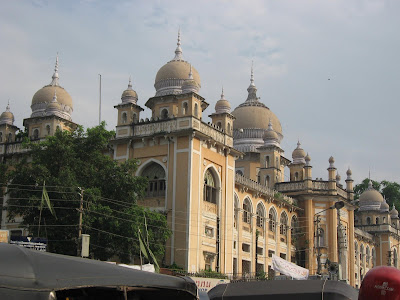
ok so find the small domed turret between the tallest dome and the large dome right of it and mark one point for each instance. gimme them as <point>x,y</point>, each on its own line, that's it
<point>222,117</point>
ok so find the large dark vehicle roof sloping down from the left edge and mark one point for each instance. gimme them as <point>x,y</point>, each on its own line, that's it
<point>23,269</point>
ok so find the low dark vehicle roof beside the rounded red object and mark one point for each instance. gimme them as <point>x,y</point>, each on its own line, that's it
<point>284,290</point>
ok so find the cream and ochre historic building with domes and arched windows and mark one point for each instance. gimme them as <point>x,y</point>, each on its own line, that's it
<point>222,184</point>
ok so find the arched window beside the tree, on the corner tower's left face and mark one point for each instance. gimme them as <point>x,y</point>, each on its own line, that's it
<point>156,176</point>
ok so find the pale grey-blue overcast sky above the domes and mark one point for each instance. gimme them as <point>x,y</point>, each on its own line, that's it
<point>329,70</point>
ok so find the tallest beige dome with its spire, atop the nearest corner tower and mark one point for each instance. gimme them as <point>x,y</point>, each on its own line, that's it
<point>173,74</point>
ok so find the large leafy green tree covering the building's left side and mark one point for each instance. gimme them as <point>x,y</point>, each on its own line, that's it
<point>80,163</point>
